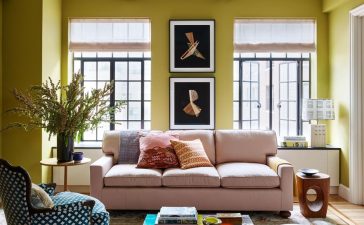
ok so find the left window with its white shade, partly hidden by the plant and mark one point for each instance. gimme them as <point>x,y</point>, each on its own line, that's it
<point>117,51</point>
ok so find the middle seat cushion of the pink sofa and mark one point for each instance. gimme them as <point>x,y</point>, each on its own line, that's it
<point>193,177</point>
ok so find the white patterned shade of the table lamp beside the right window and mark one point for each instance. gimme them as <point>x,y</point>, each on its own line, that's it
<point>318,109</point>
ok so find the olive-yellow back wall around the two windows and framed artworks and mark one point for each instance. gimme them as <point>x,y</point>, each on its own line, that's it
<point>224,12</point>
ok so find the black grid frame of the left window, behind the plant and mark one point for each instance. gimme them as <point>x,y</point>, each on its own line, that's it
<point>113,60</point>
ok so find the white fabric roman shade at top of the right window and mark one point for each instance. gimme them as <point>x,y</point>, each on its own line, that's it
<point>268,35</point>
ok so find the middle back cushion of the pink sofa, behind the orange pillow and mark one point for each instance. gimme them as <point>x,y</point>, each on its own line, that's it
<point>206,137</point>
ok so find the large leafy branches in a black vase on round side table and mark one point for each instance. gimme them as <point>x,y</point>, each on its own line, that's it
<point>66,111</point>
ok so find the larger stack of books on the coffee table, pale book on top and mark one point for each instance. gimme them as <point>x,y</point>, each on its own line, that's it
<point>177,215</point>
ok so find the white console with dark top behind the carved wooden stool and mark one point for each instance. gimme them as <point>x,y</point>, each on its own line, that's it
<point>325,159</point>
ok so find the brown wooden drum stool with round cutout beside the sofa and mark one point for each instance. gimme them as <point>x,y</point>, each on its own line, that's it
<point>321,184</point>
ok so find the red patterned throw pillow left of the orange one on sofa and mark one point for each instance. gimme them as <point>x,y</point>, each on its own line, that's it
<point>156,151</point>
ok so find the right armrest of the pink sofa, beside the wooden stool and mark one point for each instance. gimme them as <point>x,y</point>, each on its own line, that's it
<point>285,171</point>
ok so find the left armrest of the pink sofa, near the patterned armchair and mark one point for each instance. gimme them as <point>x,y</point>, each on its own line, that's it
<point>98,169</point>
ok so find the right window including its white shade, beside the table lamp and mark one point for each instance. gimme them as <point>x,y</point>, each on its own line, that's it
<point>269,86</point>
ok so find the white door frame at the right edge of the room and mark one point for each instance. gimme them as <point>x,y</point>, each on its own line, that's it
<point>356,152</point>
